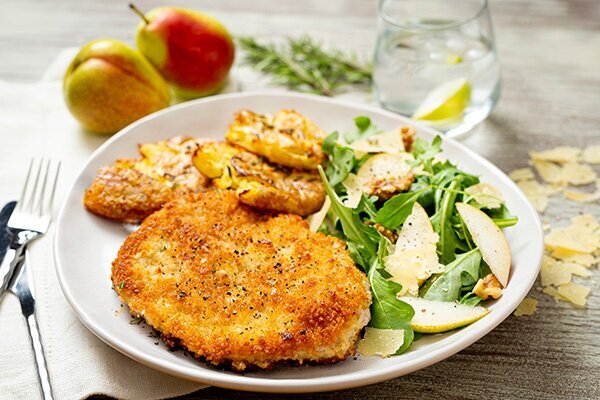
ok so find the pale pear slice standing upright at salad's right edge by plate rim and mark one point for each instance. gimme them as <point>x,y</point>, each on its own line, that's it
<point>489,239</point>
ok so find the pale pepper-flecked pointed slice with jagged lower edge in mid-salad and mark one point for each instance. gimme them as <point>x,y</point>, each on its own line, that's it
<point>415,257</point>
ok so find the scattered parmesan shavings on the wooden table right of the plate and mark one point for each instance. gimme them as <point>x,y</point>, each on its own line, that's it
<point>570,250</point>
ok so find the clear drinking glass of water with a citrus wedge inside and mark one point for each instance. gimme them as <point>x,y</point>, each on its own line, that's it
<point>435,61</point>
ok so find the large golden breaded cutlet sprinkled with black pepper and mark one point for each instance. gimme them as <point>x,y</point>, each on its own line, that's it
<point>239,288</point>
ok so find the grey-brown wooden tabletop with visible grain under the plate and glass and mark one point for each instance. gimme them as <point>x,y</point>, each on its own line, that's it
<point>550,56</point>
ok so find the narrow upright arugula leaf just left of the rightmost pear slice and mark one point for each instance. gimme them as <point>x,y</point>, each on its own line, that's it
<point>442,224</point>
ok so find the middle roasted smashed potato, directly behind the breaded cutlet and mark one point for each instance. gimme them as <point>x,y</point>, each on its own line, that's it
<point>259,183</point>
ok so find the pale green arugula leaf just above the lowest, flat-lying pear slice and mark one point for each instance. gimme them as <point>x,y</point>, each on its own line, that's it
<point>447,286</point>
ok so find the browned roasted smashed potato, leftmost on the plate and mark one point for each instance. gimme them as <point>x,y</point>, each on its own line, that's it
<point>132,189</point>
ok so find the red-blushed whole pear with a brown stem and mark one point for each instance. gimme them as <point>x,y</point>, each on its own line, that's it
<point>192,50</point>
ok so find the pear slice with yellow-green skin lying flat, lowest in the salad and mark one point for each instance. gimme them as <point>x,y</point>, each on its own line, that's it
<point>433,316</point>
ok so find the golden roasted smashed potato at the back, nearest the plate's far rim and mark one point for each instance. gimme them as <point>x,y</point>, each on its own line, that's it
<point>287,137</point>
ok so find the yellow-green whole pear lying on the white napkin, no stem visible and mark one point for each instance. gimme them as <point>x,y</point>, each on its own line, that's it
<point>109,85</point>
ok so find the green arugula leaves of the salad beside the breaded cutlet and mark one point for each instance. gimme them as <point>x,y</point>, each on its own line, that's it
<point>437,186</point>
